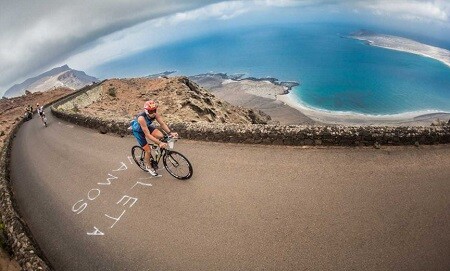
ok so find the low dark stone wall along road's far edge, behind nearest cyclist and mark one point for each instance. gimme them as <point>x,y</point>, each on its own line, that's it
<point>282,135</point>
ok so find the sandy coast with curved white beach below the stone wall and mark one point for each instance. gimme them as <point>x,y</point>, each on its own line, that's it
<point>259,93</point>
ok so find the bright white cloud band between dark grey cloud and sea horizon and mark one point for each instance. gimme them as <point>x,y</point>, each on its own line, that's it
<point>156,32</point>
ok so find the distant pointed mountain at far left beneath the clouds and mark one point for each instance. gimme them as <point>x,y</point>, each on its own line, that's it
<point>58,77</point>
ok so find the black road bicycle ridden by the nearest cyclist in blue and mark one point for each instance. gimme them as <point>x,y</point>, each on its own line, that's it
<point>174,162</point>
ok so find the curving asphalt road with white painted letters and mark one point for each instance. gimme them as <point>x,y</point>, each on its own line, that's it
<point>246,207</point>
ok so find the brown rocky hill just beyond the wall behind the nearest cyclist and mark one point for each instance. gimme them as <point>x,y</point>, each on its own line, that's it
<point>179,100</point>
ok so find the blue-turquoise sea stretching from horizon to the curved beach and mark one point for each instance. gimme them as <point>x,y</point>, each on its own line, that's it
<point>335,73</point>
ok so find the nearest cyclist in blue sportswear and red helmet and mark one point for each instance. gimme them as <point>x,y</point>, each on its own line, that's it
<point>144,130</point>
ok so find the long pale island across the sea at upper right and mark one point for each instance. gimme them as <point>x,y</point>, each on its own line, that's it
<point>403,44</point>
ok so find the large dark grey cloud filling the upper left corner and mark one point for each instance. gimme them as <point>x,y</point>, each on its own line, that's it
<point>36,34</point>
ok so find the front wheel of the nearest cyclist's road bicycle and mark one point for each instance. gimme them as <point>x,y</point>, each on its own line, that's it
<point>177,165</point>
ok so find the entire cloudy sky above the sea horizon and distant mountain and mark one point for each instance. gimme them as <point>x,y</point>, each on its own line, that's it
<point>36,36</point>
